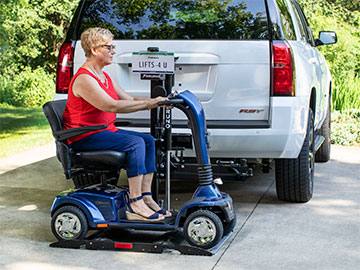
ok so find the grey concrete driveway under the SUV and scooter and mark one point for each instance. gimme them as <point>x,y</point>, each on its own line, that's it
<point>321,234</point>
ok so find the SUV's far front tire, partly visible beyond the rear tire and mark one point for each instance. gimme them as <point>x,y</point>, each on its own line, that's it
<point>323,153</point>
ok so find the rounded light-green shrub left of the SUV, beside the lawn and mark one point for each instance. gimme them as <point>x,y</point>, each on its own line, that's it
<point>29,88</point>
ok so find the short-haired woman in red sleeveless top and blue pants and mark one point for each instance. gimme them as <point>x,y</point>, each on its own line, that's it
<point>95,99</point>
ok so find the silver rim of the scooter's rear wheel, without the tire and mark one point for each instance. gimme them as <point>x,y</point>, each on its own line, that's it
<point>67,226</point>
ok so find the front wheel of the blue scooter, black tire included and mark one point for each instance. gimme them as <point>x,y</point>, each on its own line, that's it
<point>209,219</point>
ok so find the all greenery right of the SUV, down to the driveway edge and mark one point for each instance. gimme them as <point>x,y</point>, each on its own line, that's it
<point>342,16</point>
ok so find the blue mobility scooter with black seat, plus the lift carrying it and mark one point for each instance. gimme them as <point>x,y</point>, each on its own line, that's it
<point>98,204</point>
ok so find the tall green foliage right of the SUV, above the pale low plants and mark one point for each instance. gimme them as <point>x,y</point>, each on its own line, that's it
<point>343,17</point>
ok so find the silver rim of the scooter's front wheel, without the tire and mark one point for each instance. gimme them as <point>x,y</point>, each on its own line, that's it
<point>202,230</point>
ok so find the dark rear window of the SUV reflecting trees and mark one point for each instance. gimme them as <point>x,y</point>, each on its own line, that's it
<point>179,19</point>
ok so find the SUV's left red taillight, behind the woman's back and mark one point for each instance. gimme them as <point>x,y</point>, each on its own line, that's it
<point>64,71</point>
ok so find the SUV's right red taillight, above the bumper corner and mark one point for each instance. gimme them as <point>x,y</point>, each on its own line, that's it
<point>283,84</point>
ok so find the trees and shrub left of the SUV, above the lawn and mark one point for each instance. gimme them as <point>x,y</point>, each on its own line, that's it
<point>31,32</point>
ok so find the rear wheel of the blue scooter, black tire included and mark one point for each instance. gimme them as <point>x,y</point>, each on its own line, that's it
<point>69,223</point>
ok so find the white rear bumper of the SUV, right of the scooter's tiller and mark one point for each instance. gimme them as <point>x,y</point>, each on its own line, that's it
<point>283,139</point>
